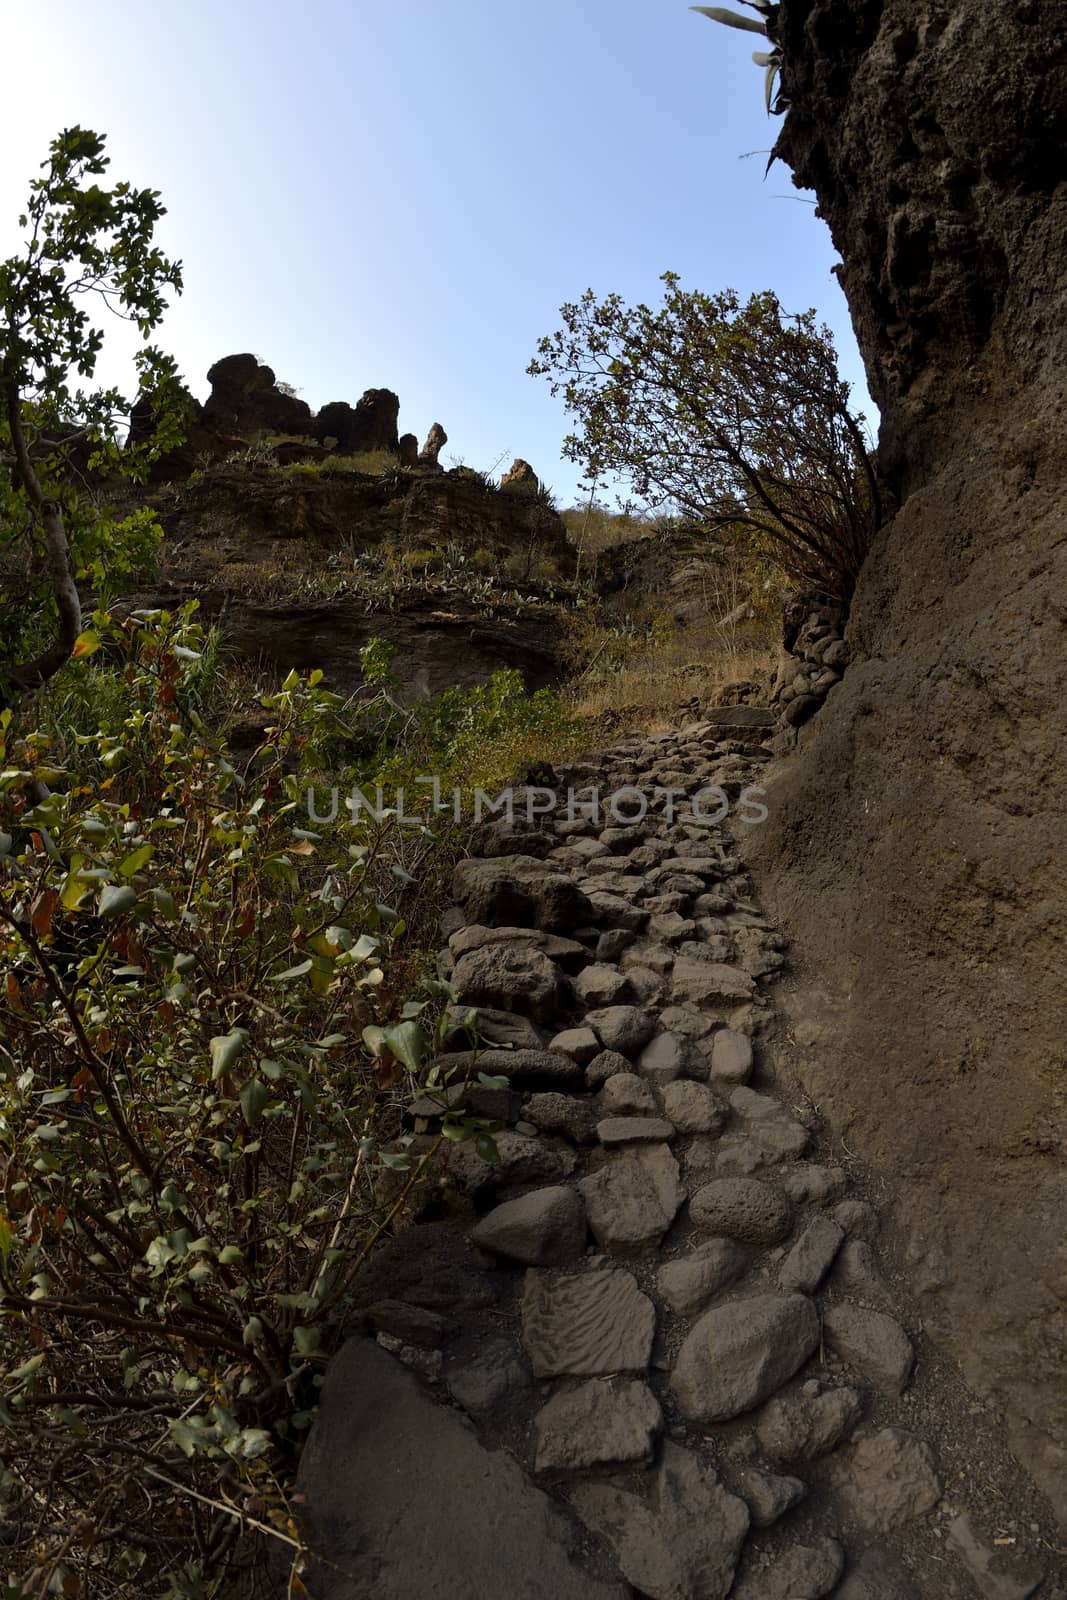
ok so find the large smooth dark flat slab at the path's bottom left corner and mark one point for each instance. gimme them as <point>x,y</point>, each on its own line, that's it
<point>402,1502</point>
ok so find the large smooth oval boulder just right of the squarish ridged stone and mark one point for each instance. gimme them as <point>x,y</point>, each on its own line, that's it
<point>743,1353</point>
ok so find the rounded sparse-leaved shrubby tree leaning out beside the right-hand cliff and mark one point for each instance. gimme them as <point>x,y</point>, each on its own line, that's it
<point>735,414</point>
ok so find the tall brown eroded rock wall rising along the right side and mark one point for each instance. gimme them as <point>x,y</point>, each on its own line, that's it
<point>917,842</point>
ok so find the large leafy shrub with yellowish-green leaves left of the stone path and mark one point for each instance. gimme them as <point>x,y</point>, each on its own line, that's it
<point>209,1015</point>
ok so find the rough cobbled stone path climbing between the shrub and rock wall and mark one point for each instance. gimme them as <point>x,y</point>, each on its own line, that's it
<point>658,1353</point>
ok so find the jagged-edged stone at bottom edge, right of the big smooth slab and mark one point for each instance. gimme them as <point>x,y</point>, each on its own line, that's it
<point>677,1543</point>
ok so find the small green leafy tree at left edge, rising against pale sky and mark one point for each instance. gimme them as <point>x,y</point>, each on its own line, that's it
<point>84,242</point>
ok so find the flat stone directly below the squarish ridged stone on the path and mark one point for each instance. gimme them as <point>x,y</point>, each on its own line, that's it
<point>604,1423</point>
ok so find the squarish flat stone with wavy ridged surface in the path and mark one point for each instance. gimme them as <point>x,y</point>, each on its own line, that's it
<point>586,1326</point>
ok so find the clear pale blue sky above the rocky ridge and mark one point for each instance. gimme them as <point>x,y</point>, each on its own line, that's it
<point>404,194</point>
